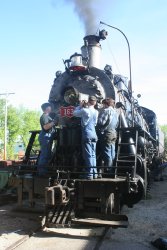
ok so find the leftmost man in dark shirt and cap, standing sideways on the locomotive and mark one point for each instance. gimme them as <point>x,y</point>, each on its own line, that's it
<point>45,137</point>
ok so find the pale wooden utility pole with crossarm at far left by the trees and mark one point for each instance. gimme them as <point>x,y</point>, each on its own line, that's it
<point>5,123</point>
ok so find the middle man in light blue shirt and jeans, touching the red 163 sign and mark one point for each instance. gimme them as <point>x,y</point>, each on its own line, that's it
<point>89,116</point>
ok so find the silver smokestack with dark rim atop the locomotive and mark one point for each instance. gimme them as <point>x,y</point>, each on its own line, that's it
<point>92,48</point>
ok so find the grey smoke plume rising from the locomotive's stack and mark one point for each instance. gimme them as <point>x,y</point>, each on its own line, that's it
<point>87,13</point>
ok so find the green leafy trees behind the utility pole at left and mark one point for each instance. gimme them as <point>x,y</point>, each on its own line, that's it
<point>20,121</point>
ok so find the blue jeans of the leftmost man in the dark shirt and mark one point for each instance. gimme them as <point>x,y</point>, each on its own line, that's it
<point>45,155</point>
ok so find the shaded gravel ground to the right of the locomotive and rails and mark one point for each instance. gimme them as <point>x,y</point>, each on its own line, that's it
<point>147,219</point>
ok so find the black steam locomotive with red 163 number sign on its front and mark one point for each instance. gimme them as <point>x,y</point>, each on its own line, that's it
<point>68,198</point>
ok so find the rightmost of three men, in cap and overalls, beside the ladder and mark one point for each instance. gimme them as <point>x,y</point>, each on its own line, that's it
<point>107,122</point>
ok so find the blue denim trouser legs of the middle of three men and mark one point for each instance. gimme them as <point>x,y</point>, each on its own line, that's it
<point>89,155</point>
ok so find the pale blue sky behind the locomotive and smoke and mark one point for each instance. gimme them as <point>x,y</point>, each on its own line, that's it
<point>37,34</point>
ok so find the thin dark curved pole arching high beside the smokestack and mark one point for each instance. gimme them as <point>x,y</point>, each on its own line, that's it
<point>129,53</point>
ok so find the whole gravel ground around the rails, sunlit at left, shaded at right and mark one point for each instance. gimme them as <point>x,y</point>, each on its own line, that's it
<point>147,222</point>
